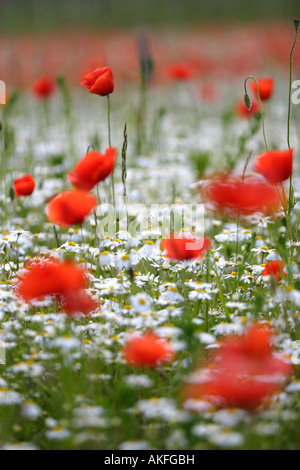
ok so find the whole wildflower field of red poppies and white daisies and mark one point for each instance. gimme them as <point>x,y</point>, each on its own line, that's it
<point>149,204</point>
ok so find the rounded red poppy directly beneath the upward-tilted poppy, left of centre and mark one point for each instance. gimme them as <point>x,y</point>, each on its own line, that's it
<point>70,207</point>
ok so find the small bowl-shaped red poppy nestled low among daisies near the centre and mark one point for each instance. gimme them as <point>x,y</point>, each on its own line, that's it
<point>184,248</point>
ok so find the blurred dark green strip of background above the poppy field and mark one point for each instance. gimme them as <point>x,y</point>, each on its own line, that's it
<point>42,15</point>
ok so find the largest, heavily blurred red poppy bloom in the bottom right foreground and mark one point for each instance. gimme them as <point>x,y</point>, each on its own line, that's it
<point>242,373</point>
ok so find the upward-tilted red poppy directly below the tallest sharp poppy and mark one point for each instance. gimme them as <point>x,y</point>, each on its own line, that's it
<point>93,168</point>
